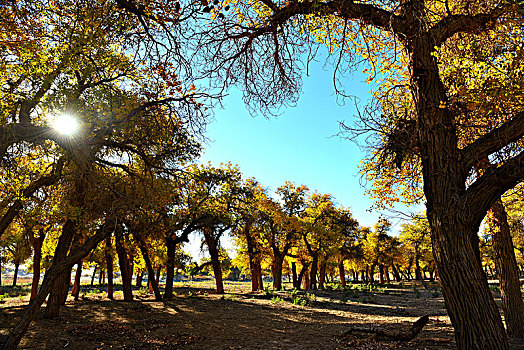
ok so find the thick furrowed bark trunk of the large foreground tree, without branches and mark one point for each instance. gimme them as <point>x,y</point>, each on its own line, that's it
<point>470,305</point>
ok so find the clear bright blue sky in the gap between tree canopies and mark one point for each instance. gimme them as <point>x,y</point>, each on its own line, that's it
<point>298,146</point>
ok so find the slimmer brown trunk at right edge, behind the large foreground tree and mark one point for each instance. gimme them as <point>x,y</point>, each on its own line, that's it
<point>506,265</point>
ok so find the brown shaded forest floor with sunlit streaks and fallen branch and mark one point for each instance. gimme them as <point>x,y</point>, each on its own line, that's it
<point>199,319</point>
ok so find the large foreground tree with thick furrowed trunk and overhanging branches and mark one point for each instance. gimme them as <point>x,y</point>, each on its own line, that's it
<point>273,32</point>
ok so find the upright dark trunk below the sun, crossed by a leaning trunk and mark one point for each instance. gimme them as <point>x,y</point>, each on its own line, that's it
<point>61,284</point>
